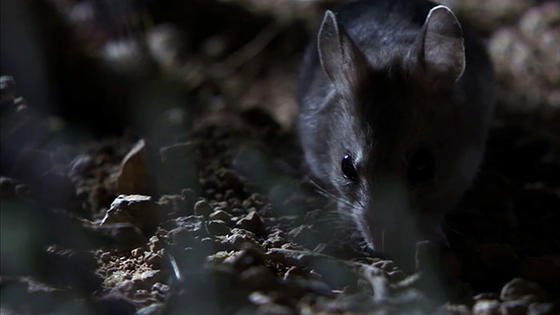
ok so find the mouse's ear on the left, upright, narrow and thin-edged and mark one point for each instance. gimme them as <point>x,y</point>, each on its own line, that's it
<point>343,62</point>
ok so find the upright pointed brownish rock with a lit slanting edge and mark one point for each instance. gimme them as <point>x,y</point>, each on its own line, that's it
<point>134,176</point>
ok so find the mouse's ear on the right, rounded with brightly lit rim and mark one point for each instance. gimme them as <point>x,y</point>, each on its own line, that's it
<point>440,46</point>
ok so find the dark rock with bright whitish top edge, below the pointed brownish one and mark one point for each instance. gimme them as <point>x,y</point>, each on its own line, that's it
<point>139,210</point>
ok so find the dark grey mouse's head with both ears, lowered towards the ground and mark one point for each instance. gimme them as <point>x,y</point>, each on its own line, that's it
<point>395,146</point>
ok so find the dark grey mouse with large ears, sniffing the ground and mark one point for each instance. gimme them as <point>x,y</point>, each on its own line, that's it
<point>395,99</point>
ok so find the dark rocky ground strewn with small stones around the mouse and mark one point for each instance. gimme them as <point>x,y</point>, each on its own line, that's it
<point>206,208</point>
